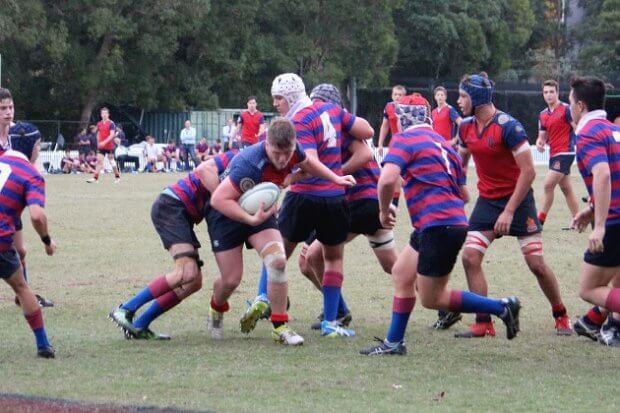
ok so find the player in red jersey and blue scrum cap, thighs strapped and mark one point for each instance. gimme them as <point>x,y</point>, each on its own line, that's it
<point>500,149</point>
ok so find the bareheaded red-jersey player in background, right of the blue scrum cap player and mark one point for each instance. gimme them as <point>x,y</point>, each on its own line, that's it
<point>556,130</point>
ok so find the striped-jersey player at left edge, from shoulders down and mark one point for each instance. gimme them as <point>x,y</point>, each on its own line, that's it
<point>21,186</point>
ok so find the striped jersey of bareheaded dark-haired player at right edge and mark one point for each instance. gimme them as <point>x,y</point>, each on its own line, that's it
<point>599,141</point>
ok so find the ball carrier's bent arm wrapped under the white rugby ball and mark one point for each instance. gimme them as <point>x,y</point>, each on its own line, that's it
<point>226,200</point>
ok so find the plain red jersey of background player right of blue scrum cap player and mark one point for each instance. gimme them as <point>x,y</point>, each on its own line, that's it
<point>556,123</point>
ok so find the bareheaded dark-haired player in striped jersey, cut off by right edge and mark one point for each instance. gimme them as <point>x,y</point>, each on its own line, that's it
<point>598,158</point>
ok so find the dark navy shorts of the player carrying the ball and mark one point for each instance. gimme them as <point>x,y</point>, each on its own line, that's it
<point>227,234</point>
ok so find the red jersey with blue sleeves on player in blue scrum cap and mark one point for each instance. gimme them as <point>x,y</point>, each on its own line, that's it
<point>492,153</point>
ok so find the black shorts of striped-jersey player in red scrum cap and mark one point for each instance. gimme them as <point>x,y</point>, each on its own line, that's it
<point>438,248</point>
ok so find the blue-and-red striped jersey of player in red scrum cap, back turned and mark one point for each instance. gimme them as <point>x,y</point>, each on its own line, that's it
<point>433,174</point>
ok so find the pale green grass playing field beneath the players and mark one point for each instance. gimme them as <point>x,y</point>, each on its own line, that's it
<point>108,250</point>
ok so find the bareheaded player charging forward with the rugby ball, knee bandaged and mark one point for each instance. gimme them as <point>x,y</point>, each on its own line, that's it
<point>230,226</point>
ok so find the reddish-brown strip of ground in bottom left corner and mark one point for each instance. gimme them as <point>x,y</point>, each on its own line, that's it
<point>21,403</point>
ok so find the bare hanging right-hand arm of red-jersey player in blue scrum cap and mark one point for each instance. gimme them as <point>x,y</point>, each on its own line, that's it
<point>527,174</point>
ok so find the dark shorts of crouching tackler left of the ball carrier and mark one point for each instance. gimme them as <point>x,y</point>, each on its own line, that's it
<point>172,222</point>
